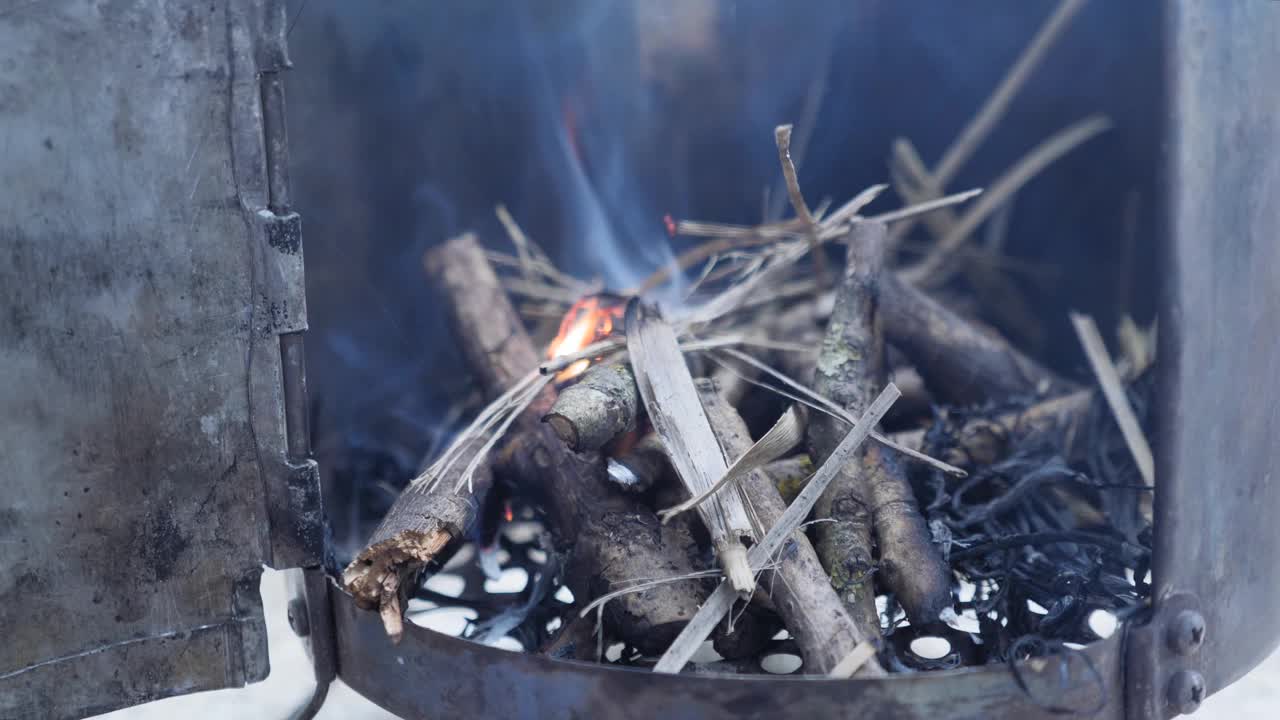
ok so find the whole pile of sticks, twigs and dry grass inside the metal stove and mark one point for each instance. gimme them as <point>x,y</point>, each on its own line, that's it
<point>993,494</point>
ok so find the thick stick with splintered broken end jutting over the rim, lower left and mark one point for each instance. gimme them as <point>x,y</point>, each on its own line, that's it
<point>422,523</point>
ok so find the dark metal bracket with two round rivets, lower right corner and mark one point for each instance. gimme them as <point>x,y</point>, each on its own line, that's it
<point>1163,662</point>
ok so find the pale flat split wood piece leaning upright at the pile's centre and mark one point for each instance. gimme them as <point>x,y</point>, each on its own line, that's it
<point>671,402</point>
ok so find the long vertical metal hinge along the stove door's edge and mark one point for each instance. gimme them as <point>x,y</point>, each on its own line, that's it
<point>291,477</point>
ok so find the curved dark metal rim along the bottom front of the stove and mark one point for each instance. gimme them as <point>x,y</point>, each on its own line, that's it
<point>431,675</point>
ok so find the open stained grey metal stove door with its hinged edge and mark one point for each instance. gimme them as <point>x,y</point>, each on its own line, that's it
<point>149,348</point>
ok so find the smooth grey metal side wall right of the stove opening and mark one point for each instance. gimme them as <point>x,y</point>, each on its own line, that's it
<point>1218,545</point>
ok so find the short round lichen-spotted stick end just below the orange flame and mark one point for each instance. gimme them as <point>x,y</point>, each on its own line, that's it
<point>598,408</point>
